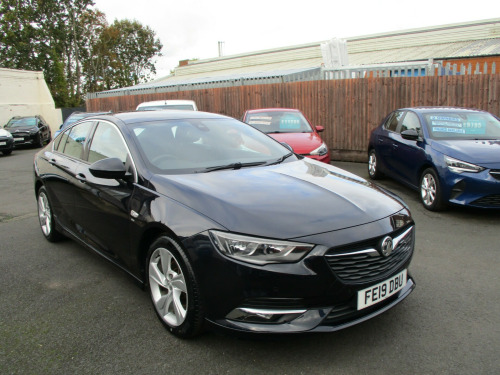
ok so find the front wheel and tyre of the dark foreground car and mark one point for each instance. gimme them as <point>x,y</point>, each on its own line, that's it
<point>173,288</point>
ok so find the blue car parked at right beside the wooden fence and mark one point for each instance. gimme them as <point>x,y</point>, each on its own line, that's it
<point>451,155</point>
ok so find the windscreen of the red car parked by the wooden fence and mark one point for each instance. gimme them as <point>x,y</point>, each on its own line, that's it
<point>279,122</point>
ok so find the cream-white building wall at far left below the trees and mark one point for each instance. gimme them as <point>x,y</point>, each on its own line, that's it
<point>25,93</point>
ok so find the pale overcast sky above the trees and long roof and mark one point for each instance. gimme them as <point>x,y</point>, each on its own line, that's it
<point>192,28</point>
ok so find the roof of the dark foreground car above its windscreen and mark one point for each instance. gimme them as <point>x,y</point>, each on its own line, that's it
<point>146,116</point>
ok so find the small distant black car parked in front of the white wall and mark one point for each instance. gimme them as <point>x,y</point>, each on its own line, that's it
<point>29,130</point>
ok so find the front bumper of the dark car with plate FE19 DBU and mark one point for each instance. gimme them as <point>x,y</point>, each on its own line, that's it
<point>307,296</point>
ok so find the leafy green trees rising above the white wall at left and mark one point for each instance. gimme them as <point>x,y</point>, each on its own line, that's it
<point>73,45</point>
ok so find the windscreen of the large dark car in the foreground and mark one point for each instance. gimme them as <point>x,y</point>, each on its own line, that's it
<point>198,145</point>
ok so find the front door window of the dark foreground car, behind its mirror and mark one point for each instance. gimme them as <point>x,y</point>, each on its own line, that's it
<point>107,143</point>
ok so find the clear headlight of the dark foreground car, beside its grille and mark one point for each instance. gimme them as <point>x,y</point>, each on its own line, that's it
<point>258,250</point>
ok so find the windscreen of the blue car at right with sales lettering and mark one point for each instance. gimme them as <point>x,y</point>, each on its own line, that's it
<point>463,125</point>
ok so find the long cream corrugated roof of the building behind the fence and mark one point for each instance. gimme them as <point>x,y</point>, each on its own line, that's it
<point>477,38</point>
